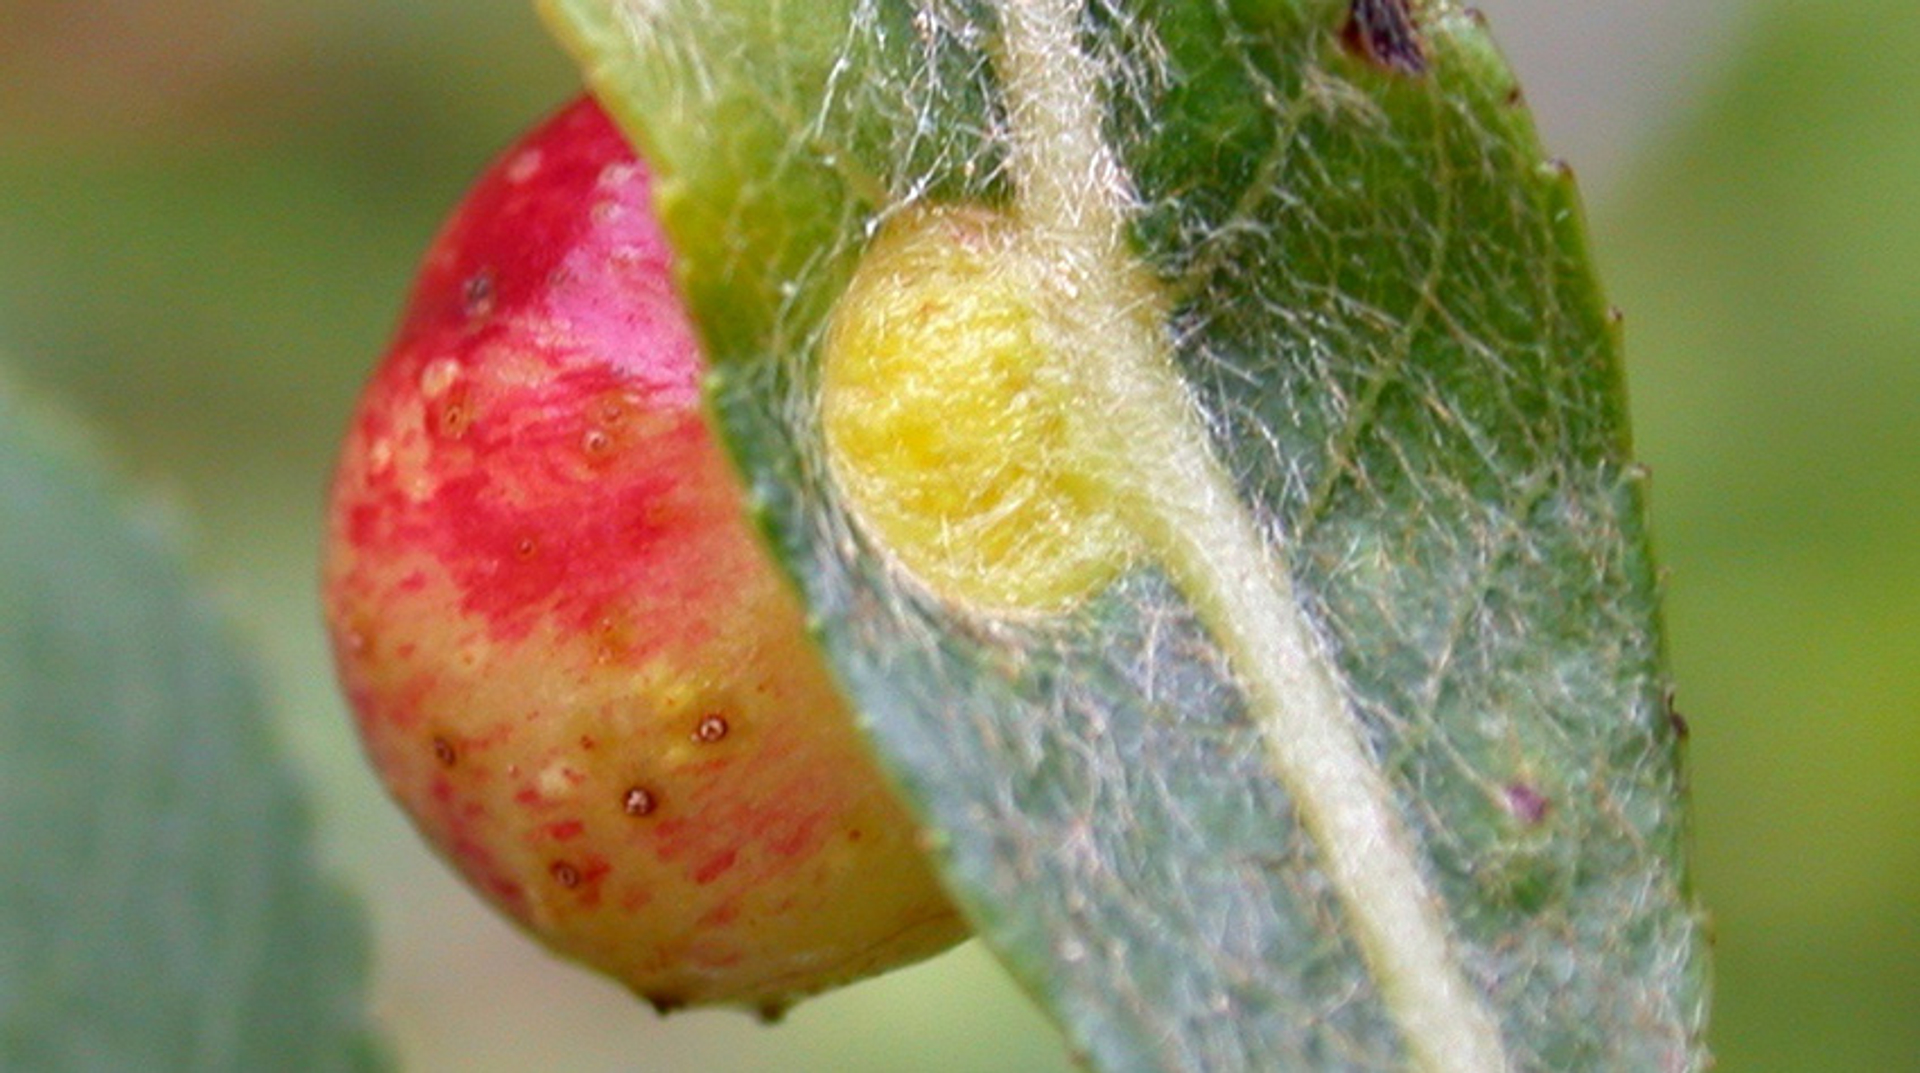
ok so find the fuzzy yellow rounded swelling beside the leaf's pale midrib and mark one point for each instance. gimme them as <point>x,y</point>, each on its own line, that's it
<point>948,419</point>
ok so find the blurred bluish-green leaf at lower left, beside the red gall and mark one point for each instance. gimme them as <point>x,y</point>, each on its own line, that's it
<point>160,907</point>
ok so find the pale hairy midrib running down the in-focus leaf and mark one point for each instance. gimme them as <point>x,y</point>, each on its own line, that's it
<point>1076,201</point>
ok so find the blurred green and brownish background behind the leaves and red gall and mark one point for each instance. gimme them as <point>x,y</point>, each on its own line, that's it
<point>210,212</point>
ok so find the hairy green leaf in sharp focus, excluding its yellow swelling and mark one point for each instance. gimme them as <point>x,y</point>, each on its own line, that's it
<point>1366,759</point>
